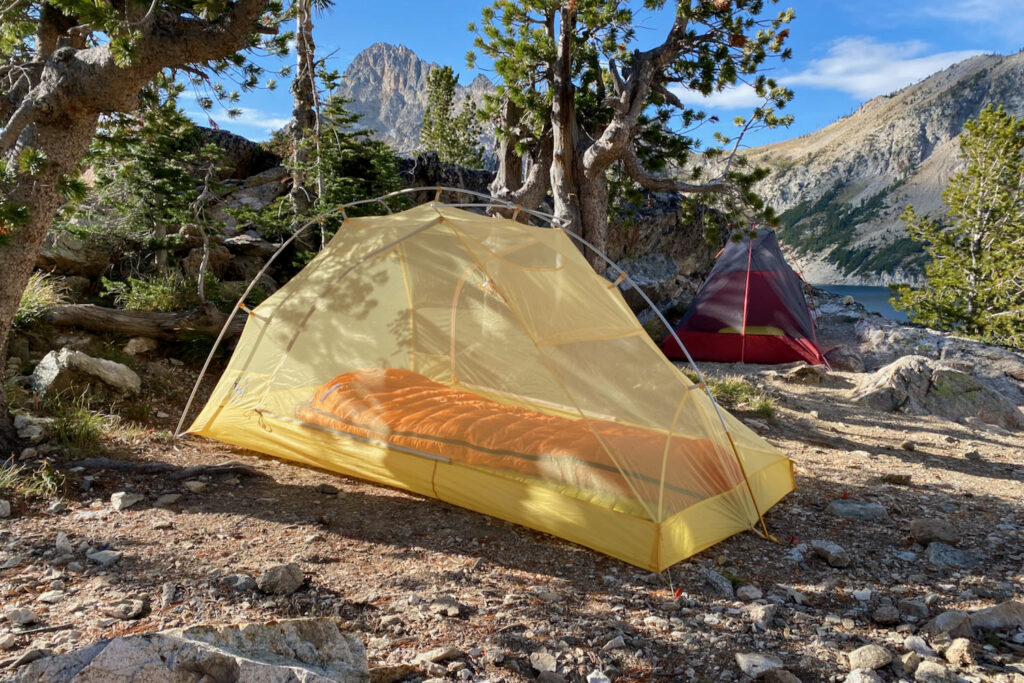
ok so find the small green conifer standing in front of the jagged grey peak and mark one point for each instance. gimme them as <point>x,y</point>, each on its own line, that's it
<point>456,138</point>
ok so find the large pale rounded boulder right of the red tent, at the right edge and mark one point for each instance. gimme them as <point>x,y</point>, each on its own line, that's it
<point>918,386</point>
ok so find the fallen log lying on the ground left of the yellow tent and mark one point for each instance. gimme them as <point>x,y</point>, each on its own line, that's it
<point>206,321</point>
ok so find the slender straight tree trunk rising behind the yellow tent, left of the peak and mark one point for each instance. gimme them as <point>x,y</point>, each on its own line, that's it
<point>305,111</point>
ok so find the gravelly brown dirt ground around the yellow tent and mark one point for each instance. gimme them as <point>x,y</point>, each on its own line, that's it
<point>411,575</point>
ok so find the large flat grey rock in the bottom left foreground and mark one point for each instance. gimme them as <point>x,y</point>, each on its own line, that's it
<point>314,651</point>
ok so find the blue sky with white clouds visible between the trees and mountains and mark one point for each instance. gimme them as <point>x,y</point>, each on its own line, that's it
<point>844,53</point>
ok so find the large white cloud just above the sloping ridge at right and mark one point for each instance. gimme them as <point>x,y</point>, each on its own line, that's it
<point>865,68</point>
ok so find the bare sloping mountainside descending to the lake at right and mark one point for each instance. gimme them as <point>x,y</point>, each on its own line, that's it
<point>841,190</point>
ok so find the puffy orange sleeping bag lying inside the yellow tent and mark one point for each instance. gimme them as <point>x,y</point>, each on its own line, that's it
<point>410,411</point>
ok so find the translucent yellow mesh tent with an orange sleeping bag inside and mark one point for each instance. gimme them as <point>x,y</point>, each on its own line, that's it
<point>484,363</point>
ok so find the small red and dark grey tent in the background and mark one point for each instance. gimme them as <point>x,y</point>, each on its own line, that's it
<point>750,310</point>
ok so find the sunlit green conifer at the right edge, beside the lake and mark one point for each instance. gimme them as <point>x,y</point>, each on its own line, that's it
<point>976,274</point>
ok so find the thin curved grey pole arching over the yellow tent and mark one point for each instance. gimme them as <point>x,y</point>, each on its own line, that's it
<point>492,201</point>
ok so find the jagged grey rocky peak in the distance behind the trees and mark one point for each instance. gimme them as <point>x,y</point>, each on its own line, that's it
<point>389,87</point>
